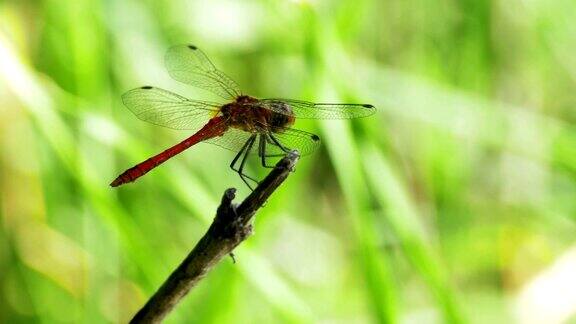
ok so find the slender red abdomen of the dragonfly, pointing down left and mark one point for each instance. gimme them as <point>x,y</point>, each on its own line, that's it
<point>214,127</point>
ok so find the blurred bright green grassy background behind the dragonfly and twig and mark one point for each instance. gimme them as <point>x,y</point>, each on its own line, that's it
<point>455,203</point>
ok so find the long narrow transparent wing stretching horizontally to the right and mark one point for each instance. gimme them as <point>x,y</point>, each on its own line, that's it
<point>310,110</point>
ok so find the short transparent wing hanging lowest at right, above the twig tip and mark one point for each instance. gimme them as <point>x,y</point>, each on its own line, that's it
<point>291,139</point>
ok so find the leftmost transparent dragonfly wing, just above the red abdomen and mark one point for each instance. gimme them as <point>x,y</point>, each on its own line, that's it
<point>164,108</point>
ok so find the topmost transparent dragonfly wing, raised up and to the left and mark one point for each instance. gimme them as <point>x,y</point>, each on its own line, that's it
<point>188,64</point>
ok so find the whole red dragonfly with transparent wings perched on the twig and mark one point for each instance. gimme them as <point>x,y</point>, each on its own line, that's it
<point>245,125</point>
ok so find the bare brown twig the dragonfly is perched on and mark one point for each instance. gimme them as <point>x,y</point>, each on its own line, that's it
<point>230,227</point>
